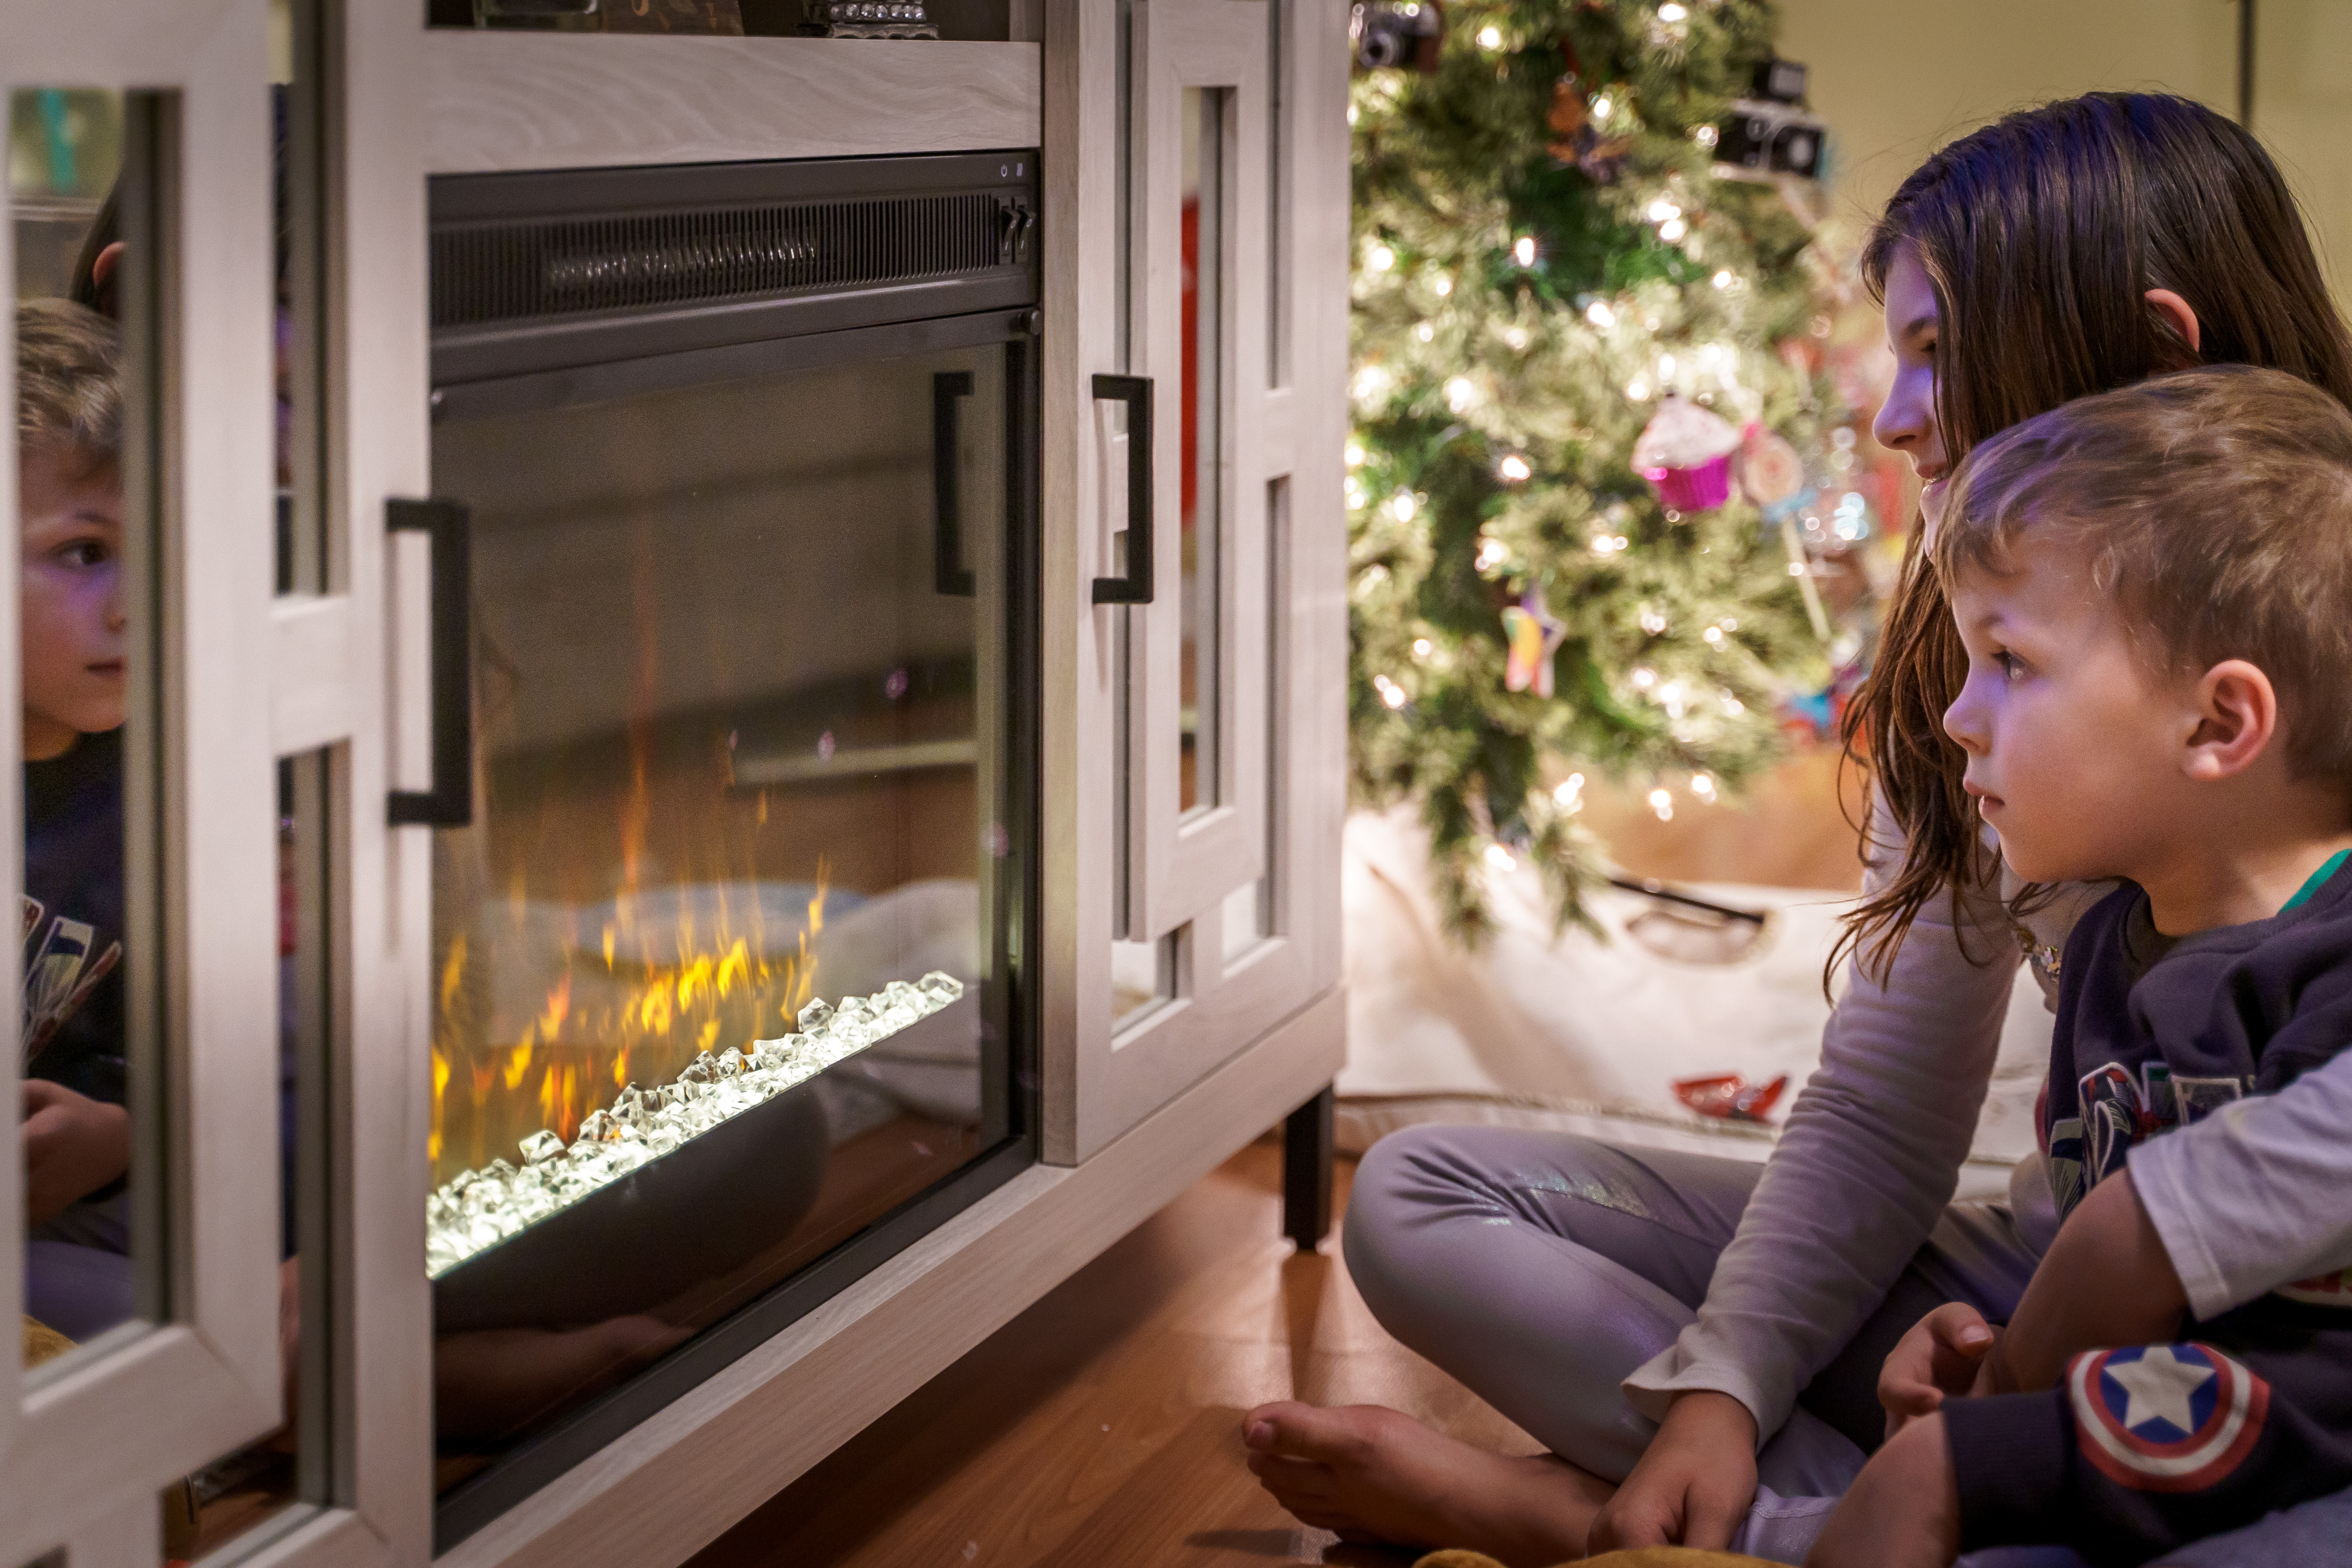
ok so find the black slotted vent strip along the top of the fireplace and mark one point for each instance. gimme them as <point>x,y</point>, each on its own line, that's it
<point>568,267</point>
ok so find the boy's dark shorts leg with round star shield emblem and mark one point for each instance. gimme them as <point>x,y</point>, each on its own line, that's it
<point>2137,1452</point>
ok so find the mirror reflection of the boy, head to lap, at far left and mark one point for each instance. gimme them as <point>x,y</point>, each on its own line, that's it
<point>76,1132</point>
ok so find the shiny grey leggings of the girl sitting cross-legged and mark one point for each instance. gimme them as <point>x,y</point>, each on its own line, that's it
<point>1544,1268</point>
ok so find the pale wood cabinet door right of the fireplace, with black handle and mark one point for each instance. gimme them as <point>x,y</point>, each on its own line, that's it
<point>1217,681</point>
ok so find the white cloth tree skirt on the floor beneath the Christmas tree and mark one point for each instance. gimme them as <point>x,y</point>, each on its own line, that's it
<point>1591,1036</point>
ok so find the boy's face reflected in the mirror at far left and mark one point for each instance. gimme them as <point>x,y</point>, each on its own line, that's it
<point>72,598</point>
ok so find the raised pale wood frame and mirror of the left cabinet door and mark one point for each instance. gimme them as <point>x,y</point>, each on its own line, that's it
<point>161,791</point>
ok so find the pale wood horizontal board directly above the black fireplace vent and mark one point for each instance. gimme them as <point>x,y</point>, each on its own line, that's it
<point>582,100</point>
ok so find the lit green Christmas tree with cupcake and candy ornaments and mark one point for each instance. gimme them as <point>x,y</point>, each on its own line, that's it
<point>1551,269</point>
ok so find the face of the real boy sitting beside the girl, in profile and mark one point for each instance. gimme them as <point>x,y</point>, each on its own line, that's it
<point>2073,746</point>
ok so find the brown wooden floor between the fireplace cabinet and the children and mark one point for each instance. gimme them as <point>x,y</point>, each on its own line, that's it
<point>1104,1426</point>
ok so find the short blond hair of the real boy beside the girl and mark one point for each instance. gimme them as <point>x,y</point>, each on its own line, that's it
<point>2212,509</point>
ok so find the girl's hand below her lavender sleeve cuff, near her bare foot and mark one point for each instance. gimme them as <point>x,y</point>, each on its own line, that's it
<point>1692,1485</point>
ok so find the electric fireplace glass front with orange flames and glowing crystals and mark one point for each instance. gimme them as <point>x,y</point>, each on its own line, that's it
<point>723,958</point>
